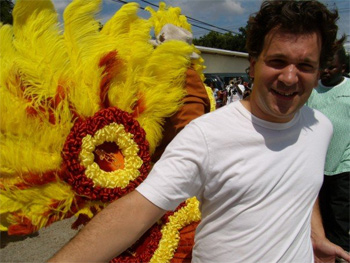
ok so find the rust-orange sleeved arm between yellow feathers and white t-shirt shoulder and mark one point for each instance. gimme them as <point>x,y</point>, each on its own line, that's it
<point>195,103</point>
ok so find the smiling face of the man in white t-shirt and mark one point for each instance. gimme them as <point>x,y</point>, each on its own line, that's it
<point>284,74</point>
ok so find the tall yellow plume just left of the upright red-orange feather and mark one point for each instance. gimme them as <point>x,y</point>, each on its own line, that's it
<point>81,35</point>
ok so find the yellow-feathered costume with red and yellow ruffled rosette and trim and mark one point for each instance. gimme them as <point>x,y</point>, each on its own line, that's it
<point>82,111</point>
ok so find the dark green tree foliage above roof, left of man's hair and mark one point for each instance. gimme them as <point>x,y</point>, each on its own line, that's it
<point>226,41</point>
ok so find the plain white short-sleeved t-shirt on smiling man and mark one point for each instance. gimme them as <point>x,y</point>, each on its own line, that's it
<point>256,181</point>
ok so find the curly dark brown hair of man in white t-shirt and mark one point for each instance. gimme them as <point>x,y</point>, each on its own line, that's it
<point>295,17</point>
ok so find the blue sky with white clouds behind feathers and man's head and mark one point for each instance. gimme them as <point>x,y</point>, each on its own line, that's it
<point>227,14</point>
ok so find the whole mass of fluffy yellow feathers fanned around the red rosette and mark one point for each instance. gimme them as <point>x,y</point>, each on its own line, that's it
<point>41,90</point>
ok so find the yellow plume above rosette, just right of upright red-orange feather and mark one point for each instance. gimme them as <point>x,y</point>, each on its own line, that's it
<point>129,36</point>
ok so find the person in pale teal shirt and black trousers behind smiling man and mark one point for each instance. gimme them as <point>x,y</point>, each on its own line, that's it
<point>332,98</point>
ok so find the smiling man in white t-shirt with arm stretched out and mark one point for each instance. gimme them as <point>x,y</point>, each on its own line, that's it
<point>256,165</point>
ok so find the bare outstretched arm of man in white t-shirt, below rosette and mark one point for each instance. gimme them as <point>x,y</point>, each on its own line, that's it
<point>111,231</point>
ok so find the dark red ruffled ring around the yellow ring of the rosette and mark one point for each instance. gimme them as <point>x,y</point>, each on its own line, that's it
<point>74,172</point>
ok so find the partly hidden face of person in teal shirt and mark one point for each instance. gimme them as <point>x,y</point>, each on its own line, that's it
<point>333,74</point>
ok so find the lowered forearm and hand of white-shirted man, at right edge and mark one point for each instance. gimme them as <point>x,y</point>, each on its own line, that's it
<point>324,250</point>
